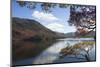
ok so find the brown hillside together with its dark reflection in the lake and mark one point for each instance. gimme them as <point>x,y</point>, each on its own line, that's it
<point>26,34</point>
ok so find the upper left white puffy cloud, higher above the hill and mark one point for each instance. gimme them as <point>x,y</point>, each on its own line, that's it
<point>41,16</point>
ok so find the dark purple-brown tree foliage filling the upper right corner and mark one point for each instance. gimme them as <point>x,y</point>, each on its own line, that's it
<point>84,18</point>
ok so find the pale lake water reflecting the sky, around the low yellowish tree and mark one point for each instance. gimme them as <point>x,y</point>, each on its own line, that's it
<point>52,53</point>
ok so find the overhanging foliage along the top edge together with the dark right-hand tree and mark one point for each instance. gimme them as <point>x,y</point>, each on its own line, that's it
<point>83,17</point>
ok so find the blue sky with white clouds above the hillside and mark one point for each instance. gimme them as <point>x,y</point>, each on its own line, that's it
<point>55,20</point>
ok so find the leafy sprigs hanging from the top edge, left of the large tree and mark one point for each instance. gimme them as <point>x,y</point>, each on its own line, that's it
<point>32,5</point>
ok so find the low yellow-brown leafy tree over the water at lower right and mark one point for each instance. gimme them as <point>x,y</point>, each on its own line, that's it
<point>79,51</point>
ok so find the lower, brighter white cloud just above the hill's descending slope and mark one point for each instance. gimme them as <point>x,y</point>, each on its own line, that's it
<point>56,27</point>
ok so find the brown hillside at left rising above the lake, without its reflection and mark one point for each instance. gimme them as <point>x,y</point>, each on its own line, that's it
<point>31,28</point>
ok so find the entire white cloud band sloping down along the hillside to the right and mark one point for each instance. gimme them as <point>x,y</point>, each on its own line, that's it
<point>52,22</point>
